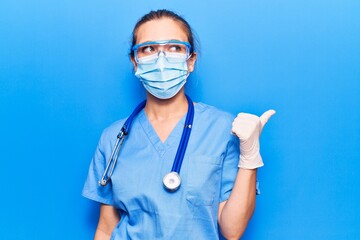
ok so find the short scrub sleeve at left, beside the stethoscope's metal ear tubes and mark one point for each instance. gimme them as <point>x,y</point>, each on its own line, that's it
<point>92,189</point>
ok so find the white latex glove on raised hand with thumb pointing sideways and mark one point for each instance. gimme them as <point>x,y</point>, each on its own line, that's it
<point>248,128</point>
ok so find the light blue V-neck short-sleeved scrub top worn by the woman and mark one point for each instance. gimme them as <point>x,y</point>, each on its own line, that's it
<point>147,210</point>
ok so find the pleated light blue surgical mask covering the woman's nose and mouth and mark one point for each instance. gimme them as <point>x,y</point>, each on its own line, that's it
<point>164,77</point>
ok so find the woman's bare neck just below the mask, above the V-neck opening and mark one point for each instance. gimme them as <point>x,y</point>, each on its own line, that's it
<point>164,109</point>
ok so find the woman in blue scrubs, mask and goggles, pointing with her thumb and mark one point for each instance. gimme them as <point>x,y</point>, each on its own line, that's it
<point>217,190</point>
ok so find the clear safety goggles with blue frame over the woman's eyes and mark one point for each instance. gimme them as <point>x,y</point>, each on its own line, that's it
<point>173,50</point>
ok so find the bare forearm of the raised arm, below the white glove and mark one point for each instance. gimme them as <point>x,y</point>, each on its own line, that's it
<point>238,209</point>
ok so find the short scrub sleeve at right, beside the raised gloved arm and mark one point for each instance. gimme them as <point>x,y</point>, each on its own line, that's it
<point>230,167</point>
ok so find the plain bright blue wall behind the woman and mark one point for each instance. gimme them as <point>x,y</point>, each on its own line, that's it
<point>65,75</point>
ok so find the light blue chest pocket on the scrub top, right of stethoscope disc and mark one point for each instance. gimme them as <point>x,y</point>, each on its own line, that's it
<point>204,176</point>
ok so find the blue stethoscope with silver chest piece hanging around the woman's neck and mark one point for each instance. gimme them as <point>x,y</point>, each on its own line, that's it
<point>171,180</point>
